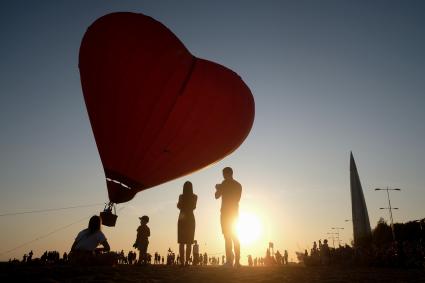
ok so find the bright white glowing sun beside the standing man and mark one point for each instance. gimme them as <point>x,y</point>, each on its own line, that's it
<point>248,228</point>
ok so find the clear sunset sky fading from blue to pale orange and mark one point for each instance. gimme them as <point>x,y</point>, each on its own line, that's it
<point>328,77</point>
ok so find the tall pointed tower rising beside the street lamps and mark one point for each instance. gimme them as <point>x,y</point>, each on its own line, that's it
<point>360,217</point>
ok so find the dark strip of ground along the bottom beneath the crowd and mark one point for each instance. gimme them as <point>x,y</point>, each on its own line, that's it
<point>127,273</point>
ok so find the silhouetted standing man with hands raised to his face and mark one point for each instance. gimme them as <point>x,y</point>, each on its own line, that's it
<point>230,192</point>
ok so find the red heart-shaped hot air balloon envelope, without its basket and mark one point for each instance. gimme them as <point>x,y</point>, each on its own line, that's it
<point>157,112</point>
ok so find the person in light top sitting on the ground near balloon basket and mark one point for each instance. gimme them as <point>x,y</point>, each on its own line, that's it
<point>89,239</point>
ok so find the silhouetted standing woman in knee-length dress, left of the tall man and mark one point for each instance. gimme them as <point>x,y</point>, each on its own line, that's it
<point>186,222</point>
